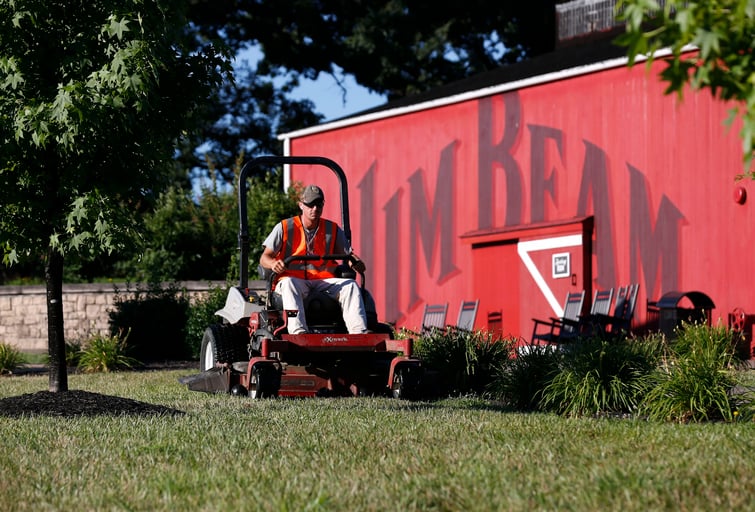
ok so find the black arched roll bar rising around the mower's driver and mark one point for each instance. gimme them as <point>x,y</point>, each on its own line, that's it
<point>270,161</point>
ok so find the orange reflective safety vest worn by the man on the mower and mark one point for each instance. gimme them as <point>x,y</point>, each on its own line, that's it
<point>295,244</point>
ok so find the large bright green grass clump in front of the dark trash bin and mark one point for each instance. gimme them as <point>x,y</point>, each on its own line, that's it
<point>694,382</point>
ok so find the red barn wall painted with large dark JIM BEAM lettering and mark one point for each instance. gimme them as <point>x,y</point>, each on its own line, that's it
<point>446,200</point>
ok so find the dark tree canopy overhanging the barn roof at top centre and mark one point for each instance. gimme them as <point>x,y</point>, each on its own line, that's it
<point>394,47</point>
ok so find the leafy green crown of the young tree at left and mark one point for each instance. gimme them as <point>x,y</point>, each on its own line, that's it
<point>93,96</point>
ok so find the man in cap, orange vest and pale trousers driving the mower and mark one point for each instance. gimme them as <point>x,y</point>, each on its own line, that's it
<point>310,234</point>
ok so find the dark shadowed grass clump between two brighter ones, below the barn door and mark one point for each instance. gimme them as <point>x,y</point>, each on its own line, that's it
<point>519,381</point>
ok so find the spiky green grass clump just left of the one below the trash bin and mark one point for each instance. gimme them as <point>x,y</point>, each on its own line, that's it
<point>601,377</point>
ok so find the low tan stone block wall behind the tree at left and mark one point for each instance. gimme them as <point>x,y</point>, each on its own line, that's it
<point>86,307</point>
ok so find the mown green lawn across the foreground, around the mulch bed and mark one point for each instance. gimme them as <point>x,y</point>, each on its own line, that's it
<point>229,453</point>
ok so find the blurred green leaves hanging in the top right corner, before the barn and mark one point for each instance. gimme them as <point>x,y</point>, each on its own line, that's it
<point>722,31</point>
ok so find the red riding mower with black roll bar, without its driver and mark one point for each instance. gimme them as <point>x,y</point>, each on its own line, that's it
<point>251,352</point>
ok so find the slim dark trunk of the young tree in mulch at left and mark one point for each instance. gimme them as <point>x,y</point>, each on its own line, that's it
<point>55,338</point>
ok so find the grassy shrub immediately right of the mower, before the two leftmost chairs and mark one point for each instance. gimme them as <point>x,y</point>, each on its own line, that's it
<point>466,361</point>
